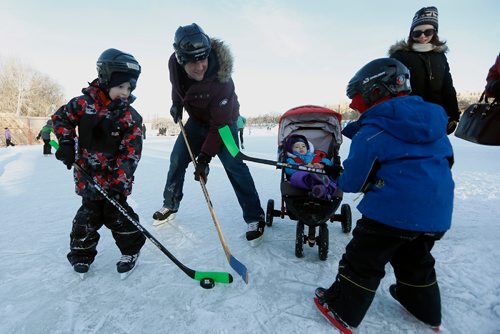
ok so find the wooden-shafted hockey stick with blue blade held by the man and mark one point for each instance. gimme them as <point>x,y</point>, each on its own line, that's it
<point>233,262</point>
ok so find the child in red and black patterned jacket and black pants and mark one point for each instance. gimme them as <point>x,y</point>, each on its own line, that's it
<point>109,148</point>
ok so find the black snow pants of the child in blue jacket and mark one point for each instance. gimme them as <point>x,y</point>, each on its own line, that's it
<point>362,267</point>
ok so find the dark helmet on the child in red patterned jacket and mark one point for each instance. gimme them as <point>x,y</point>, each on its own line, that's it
<point>112,61</point>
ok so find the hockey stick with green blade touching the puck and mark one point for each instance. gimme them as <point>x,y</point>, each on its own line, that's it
<point>220,277</point>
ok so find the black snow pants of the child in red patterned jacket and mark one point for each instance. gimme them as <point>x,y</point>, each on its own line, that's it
<point>90,218</point>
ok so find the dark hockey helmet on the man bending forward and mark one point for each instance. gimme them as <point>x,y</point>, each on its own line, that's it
<point>191,44</point>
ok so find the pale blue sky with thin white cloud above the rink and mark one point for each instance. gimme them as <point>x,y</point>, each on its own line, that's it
<point>287,53</point>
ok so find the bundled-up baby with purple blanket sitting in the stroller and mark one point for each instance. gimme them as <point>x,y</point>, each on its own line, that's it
<point>300,152</point>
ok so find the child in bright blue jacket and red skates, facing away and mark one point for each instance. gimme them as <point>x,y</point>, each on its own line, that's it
<point>400,158</point>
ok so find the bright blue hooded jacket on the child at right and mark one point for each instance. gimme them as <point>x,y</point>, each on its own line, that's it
<point>400,157</point>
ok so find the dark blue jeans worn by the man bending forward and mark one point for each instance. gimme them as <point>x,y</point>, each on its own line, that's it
<point>237,172</point>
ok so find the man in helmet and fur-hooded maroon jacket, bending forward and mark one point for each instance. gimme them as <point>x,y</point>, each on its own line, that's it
<point>200,73</point>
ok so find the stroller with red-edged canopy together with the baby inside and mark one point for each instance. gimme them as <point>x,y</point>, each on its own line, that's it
<point>309,140</point>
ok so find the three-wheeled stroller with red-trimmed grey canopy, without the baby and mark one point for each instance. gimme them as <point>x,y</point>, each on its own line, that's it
<point>322,128</point>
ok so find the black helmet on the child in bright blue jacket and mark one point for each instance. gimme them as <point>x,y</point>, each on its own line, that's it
<point>380,78</point>
